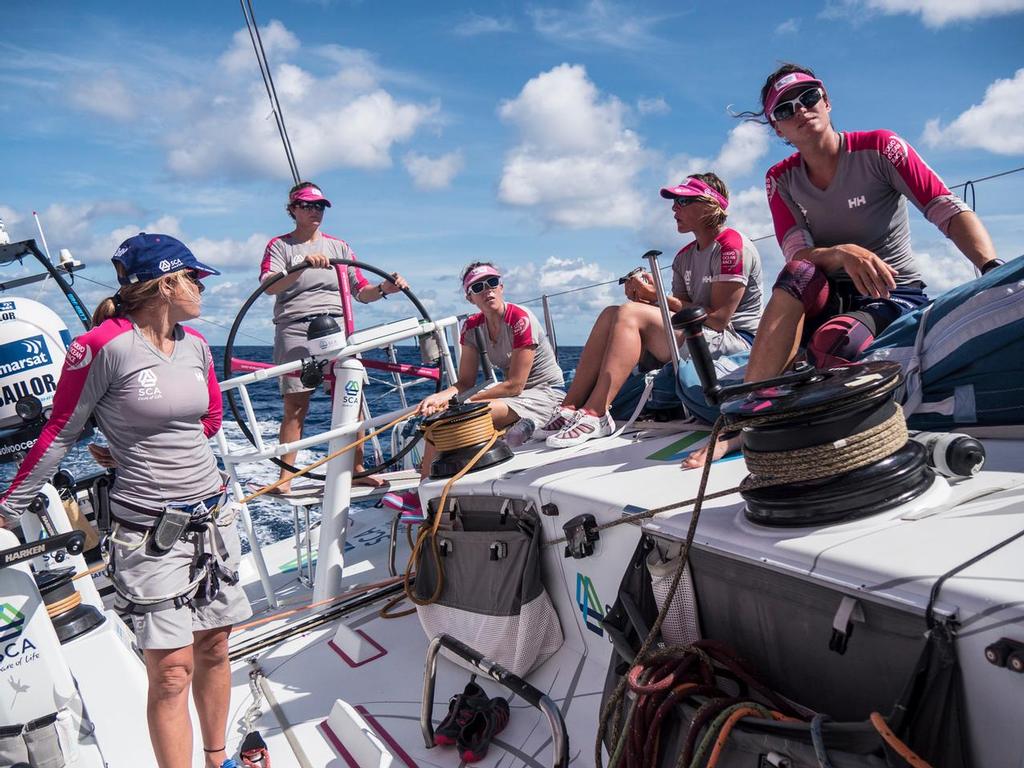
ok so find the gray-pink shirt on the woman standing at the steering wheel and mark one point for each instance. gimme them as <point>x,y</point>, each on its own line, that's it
<point>316,291</point>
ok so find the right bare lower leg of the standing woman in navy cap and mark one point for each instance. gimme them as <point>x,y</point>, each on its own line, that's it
<point>212,691</point>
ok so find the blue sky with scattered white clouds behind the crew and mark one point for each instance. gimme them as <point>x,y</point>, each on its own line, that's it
<point>534,135</point>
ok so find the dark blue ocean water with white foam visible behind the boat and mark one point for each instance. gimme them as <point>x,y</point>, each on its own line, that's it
<point>273,520</point>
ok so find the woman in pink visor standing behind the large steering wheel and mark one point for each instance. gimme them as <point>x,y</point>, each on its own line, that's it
<point>307,293</point>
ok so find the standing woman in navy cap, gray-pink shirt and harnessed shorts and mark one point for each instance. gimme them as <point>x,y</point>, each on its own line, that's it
<point>150,383</point>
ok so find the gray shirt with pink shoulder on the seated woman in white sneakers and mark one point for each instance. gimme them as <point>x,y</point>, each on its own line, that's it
<point>731,259</point>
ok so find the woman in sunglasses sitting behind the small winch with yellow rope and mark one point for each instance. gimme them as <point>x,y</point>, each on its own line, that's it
<point>517,345</point>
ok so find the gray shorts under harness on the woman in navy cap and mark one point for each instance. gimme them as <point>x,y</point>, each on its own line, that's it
<point>141,574</point>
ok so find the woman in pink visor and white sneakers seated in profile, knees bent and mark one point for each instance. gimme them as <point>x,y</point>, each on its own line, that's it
<point>719,271</point>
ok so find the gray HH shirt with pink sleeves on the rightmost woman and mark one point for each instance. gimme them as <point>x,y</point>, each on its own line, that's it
<point>866,204</point>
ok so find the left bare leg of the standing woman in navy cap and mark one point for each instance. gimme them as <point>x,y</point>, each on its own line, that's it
<point>167,706</point>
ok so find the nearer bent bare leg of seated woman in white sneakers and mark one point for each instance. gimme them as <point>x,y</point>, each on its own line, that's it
<point>636,327</point>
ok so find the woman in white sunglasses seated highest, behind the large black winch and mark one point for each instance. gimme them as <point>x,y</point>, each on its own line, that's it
<point>840,210</point>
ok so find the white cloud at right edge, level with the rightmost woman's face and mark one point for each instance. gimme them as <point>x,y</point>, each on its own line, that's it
<point>997,124</point>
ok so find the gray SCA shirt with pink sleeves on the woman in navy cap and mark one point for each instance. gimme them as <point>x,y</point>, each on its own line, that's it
<point>157,412</point>
